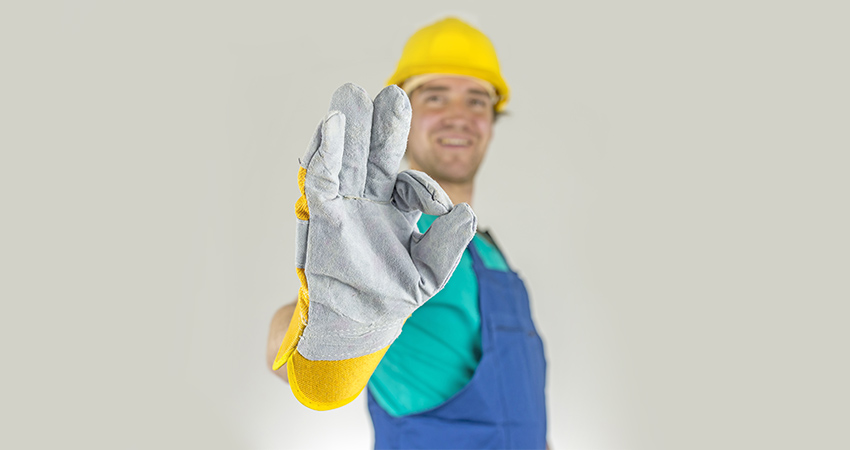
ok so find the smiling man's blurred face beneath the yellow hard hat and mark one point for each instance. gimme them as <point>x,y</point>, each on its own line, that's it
<point>450,128</point>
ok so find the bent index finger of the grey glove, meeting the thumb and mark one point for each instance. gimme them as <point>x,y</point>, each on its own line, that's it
<point>416,191</point>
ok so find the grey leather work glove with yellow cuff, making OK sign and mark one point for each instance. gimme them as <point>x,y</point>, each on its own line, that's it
<point>363,265</point>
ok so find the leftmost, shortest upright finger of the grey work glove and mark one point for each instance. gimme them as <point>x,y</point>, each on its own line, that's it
<point>322,181</point>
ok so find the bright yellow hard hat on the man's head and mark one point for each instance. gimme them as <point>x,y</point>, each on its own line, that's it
<point>453,47</point>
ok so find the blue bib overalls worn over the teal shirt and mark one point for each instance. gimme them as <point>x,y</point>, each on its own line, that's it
<point>503,406</point>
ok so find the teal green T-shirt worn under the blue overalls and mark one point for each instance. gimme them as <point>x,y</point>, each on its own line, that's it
<point>440,344</point>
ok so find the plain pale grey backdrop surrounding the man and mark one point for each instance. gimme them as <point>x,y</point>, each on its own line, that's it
<point>671,183</point>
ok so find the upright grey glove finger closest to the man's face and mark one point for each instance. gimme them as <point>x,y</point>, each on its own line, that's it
<point>390,125</point>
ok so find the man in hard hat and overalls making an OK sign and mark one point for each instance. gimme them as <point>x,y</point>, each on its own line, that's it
<point>468,369</point>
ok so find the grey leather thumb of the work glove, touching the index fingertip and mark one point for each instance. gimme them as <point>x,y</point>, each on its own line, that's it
<point>438,253</point>
